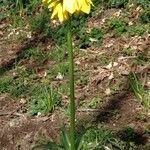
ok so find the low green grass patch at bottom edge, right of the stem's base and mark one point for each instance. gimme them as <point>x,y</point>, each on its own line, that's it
<point>102,139</point>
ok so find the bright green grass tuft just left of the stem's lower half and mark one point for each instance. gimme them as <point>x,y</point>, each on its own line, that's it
<point>43,100</point>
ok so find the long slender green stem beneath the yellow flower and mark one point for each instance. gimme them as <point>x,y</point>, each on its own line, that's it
<point>72,97</point>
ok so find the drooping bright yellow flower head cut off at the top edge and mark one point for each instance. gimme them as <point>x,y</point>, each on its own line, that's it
<point>62,9</point>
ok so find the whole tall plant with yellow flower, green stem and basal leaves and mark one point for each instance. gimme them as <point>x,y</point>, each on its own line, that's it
<point>63,10</point>
